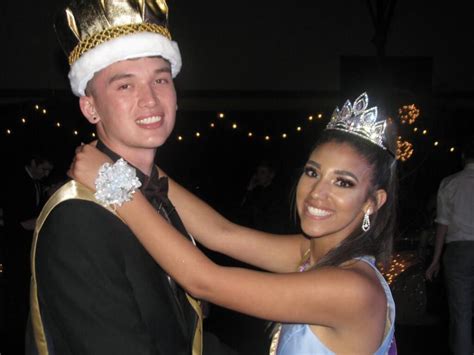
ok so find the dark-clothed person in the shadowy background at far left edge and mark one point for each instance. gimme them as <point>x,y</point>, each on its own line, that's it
<point>23,195</point>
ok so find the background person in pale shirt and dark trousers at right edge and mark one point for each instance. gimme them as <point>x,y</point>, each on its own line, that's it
<point>455,234</point>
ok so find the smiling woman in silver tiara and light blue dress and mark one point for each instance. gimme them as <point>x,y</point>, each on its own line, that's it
<point>322,286</point>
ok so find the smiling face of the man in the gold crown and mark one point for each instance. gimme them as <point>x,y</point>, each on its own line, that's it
<point>133,103</point>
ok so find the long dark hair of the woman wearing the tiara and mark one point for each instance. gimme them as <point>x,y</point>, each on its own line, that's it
<point>378,240</point>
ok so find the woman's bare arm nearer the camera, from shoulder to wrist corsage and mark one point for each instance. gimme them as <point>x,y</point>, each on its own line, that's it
<point>316,297</point>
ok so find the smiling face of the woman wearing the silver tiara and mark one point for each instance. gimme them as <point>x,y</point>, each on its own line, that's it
<point>332,193</point>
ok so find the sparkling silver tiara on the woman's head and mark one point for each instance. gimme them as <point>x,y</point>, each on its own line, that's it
<point>357,119</point>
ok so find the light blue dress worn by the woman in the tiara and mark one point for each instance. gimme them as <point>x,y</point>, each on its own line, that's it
<point>298,339</point>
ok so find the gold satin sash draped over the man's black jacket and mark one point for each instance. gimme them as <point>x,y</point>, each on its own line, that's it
<point>75,190</point>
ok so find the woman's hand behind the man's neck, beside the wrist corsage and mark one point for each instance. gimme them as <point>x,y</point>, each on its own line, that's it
<point>86,163</point>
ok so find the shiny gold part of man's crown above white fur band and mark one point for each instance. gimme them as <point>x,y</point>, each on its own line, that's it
<point>85,24</point>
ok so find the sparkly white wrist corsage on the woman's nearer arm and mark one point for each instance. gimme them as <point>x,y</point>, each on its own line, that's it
<point>116,183</point>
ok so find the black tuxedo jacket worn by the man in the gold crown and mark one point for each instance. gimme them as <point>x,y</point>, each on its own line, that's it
<point>100,292</point>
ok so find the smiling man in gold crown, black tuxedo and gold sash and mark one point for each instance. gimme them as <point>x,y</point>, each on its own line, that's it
<point>95,290</point>
